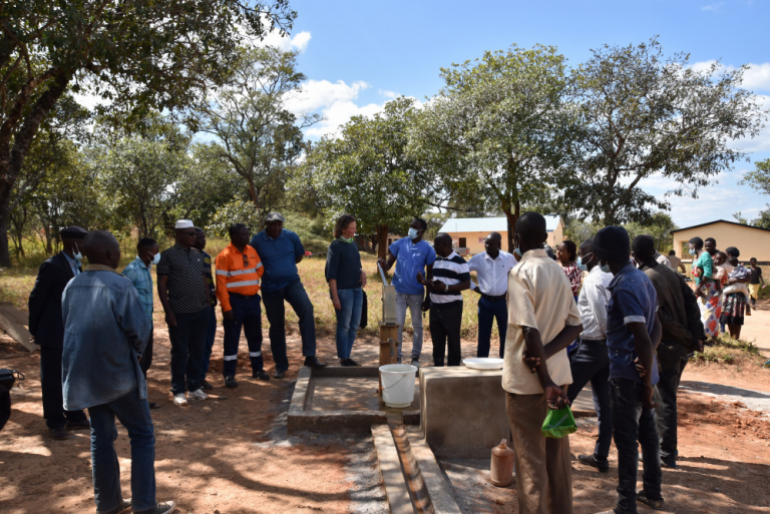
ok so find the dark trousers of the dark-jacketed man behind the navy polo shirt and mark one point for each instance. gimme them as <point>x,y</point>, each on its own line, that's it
<point>671,365</point>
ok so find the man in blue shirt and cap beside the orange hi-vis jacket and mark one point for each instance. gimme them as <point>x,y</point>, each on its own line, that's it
<point>280,251</point>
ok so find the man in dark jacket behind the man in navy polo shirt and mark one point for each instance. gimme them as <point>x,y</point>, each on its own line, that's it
<point>682,333</point>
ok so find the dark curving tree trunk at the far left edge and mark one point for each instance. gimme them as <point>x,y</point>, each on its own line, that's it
<point>11,161</point>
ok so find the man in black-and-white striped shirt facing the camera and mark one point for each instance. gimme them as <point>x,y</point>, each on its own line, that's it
<point>450,277</point>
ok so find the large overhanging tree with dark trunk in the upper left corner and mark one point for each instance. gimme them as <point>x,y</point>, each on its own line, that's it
<point>137,53</point>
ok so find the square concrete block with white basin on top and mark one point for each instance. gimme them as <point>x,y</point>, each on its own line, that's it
<point>462,411</point>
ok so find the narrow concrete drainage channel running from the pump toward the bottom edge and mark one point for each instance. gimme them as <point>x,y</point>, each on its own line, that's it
<point>413,480</point>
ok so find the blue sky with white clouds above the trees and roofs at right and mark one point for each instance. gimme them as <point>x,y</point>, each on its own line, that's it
<point>358,55</point>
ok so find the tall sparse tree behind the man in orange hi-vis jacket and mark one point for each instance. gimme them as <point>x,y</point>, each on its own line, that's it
<point>259,138</point>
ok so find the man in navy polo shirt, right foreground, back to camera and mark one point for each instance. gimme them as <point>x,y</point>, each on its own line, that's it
<point>633,334</point>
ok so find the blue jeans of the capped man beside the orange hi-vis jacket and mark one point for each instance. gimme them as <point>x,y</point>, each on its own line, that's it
<point>295,294</point>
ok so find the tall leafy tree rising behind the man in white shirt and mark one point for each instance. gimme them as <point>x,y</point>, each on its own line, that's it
<point>495,128</point>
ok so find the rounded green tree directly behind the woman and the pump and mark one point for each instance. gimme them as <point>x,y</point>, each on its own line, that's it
<point>368,172</point>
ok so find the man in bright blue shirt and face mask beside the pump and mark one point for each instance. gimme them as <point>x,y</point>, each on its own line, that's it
<point>414,255</point>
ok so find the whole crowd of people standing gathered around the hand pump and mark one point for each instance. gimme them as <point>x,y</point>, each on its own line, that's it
<point>612,312</point>
